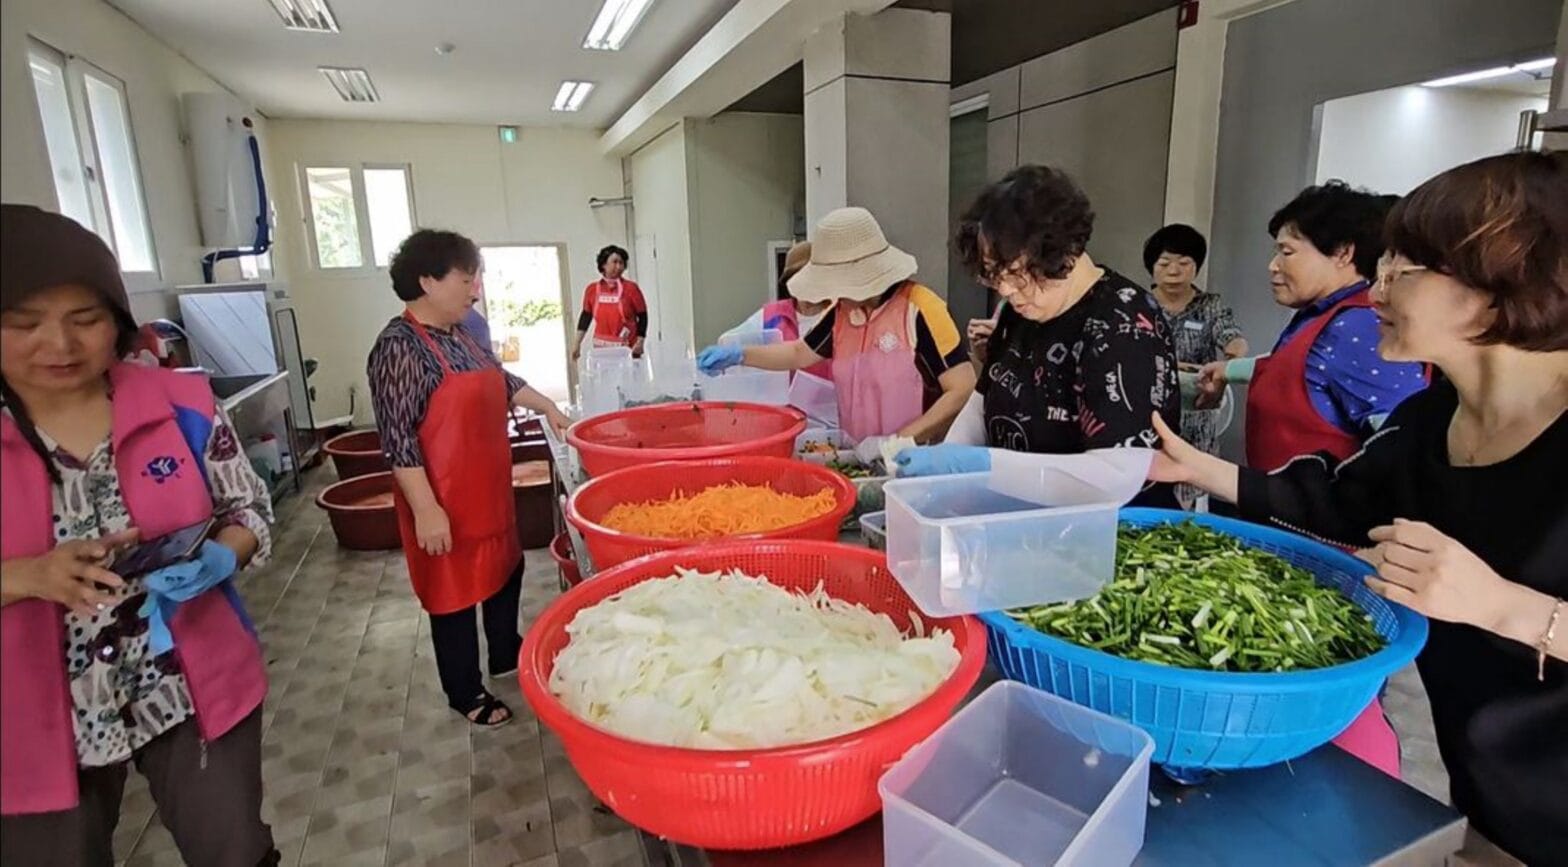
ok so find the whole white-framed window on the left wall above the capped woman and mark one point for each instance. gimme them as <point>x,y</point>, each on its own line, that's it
<point>93,154</point>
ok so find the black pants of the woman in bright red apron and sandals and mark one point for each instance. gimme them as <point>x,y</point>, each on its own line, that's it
<point>457,644</point>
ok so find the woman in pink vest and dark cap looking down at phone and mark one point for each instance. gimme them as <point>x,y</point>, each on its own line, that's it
<point>101,670</point>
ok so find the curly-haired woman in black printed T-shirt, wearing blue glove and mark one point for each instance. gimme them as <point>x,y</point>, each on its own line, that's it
<point>1081,357</point>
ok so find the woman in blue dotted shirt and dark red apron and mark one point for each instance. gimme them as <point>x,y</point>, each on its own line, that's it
<point>1324,390</point>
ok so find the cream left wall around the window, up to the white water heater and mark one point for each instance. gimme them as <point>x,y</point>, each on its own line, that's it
<point>154,81</point>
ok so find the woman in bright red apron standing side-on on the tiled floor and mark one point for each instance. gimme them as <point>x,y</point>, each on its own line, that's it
<point>441,407</point>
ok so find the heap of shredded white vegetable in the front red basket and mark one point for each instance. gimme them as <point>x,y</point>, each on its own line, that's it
<point>735,662</point>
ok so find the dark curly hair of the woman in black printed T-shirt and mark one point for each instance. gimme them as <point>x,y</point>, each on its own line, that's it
<point>1037,216</point>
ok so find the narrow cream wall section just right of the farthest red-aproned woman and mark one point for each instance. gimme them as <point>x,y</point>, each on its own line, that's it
<point>662,223</point>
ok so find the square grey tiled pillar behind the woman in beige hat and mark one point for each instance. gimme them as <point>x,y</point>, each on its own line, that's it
<point>877,95</point>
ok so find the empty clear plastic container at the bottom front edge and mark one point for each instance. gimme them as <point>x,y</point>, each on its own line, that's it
<point>1020,777</point>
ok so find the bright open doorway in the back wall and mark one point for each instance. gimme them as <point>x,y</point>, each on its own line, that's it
<point>524,302</point>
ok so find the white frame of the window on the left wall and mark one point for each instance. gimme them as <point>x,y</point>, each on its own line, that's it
<point>84,128</point>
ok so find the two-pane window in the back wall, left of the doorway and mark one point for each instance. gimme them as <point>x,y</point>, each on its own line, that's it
<point>358,214</point>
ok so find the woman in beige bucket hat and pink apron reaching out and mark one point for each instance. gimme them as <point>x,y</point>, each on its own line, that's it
<point>898,358</point>
